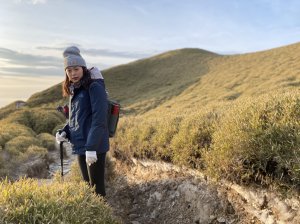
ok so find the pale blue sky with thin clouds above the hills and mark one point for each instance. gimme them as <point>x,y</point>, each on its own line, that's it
<point>34,33</point>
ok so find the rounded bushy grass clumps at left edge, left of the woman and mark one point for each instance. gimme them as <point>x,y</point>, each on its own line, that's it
<point>21,147</point>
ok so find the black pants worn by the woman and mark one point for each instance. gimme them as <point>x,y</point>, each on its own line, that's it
<point>94,174</point>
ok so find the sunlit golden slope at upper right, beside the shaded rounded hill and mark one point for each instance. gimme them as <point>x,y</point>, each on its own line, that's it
<point>232,77</point>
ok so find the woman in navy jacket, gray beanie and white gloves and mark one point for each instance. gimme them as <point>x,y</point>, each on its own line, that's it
<point>87,126</point>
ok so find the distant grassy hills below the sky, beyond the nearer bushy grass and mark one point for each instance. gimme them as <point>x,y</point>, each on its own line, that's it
<point>188,77</point>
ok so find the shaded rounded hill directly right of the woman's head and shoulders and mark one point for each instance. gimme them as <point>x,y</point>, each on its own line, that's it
<point>146,83</point>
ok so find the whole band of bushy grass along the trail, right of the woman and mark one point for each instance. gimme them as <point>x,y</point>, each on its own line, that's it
<point>254,140</point>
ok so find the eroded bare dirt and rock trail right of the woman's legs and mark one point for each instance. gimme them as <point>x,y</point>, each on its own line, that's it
<point>157,192</point>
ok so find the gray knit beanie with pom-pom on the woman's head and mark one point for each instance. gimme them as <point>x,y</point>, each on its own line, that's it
<point>72,57</point>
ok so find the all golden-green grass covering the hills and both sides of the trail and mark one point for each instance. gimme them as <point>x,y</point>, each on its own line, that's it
<point>234,117</point>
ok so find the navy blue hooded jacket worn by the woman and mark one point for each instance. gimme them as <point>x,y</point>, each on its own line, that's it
<point>87,127</point>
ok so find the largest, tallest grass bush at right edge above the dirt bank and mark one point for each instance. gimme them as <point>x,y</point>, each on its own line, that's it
<point>258,141</point>
